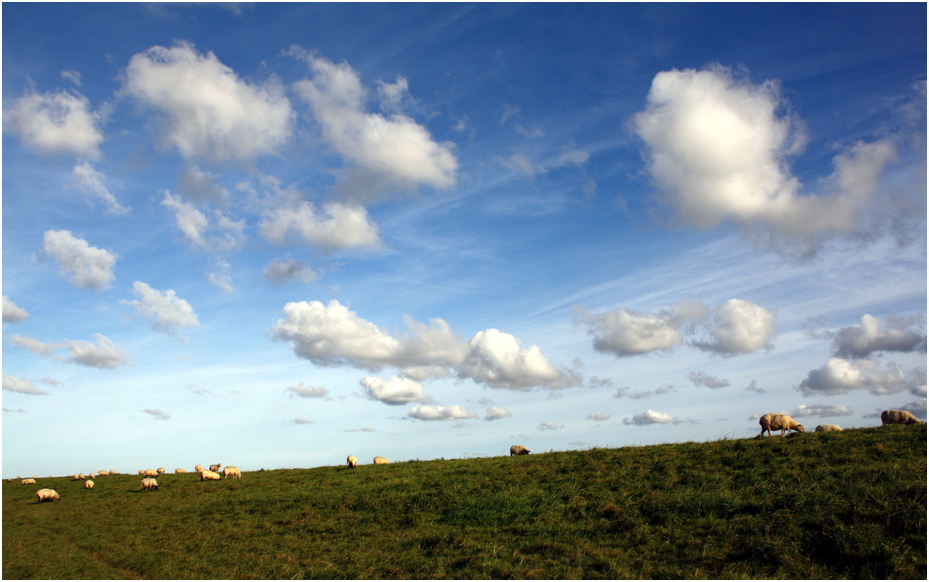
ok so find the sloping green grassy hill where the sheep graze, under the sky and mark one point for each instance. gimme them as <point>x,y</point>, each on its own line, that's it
<point>847,504</point>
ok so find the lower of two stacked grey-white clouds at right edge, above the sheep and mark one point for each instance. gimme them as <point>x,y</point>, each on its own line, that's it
<point>839,376</point>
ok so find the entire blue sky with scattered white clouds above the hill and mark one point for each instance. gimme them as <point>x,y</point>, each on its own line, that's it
<point>273,235</point>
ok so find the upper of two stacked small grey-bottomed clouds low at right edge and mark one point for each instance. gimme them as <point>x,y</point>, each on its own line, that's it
<point>875,335</point>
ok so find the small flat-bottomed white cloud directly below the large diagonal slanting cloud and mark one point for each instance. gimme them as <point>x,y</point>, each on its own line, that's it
<point>338,226</point>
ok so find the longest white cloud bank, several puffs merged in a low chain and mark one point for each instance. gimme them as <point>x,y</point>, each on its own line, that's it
<point>331,335</point>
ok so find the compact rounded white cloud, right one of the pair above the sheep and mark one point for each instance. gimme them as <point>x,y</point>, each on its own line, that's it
<point>741,327</point>
